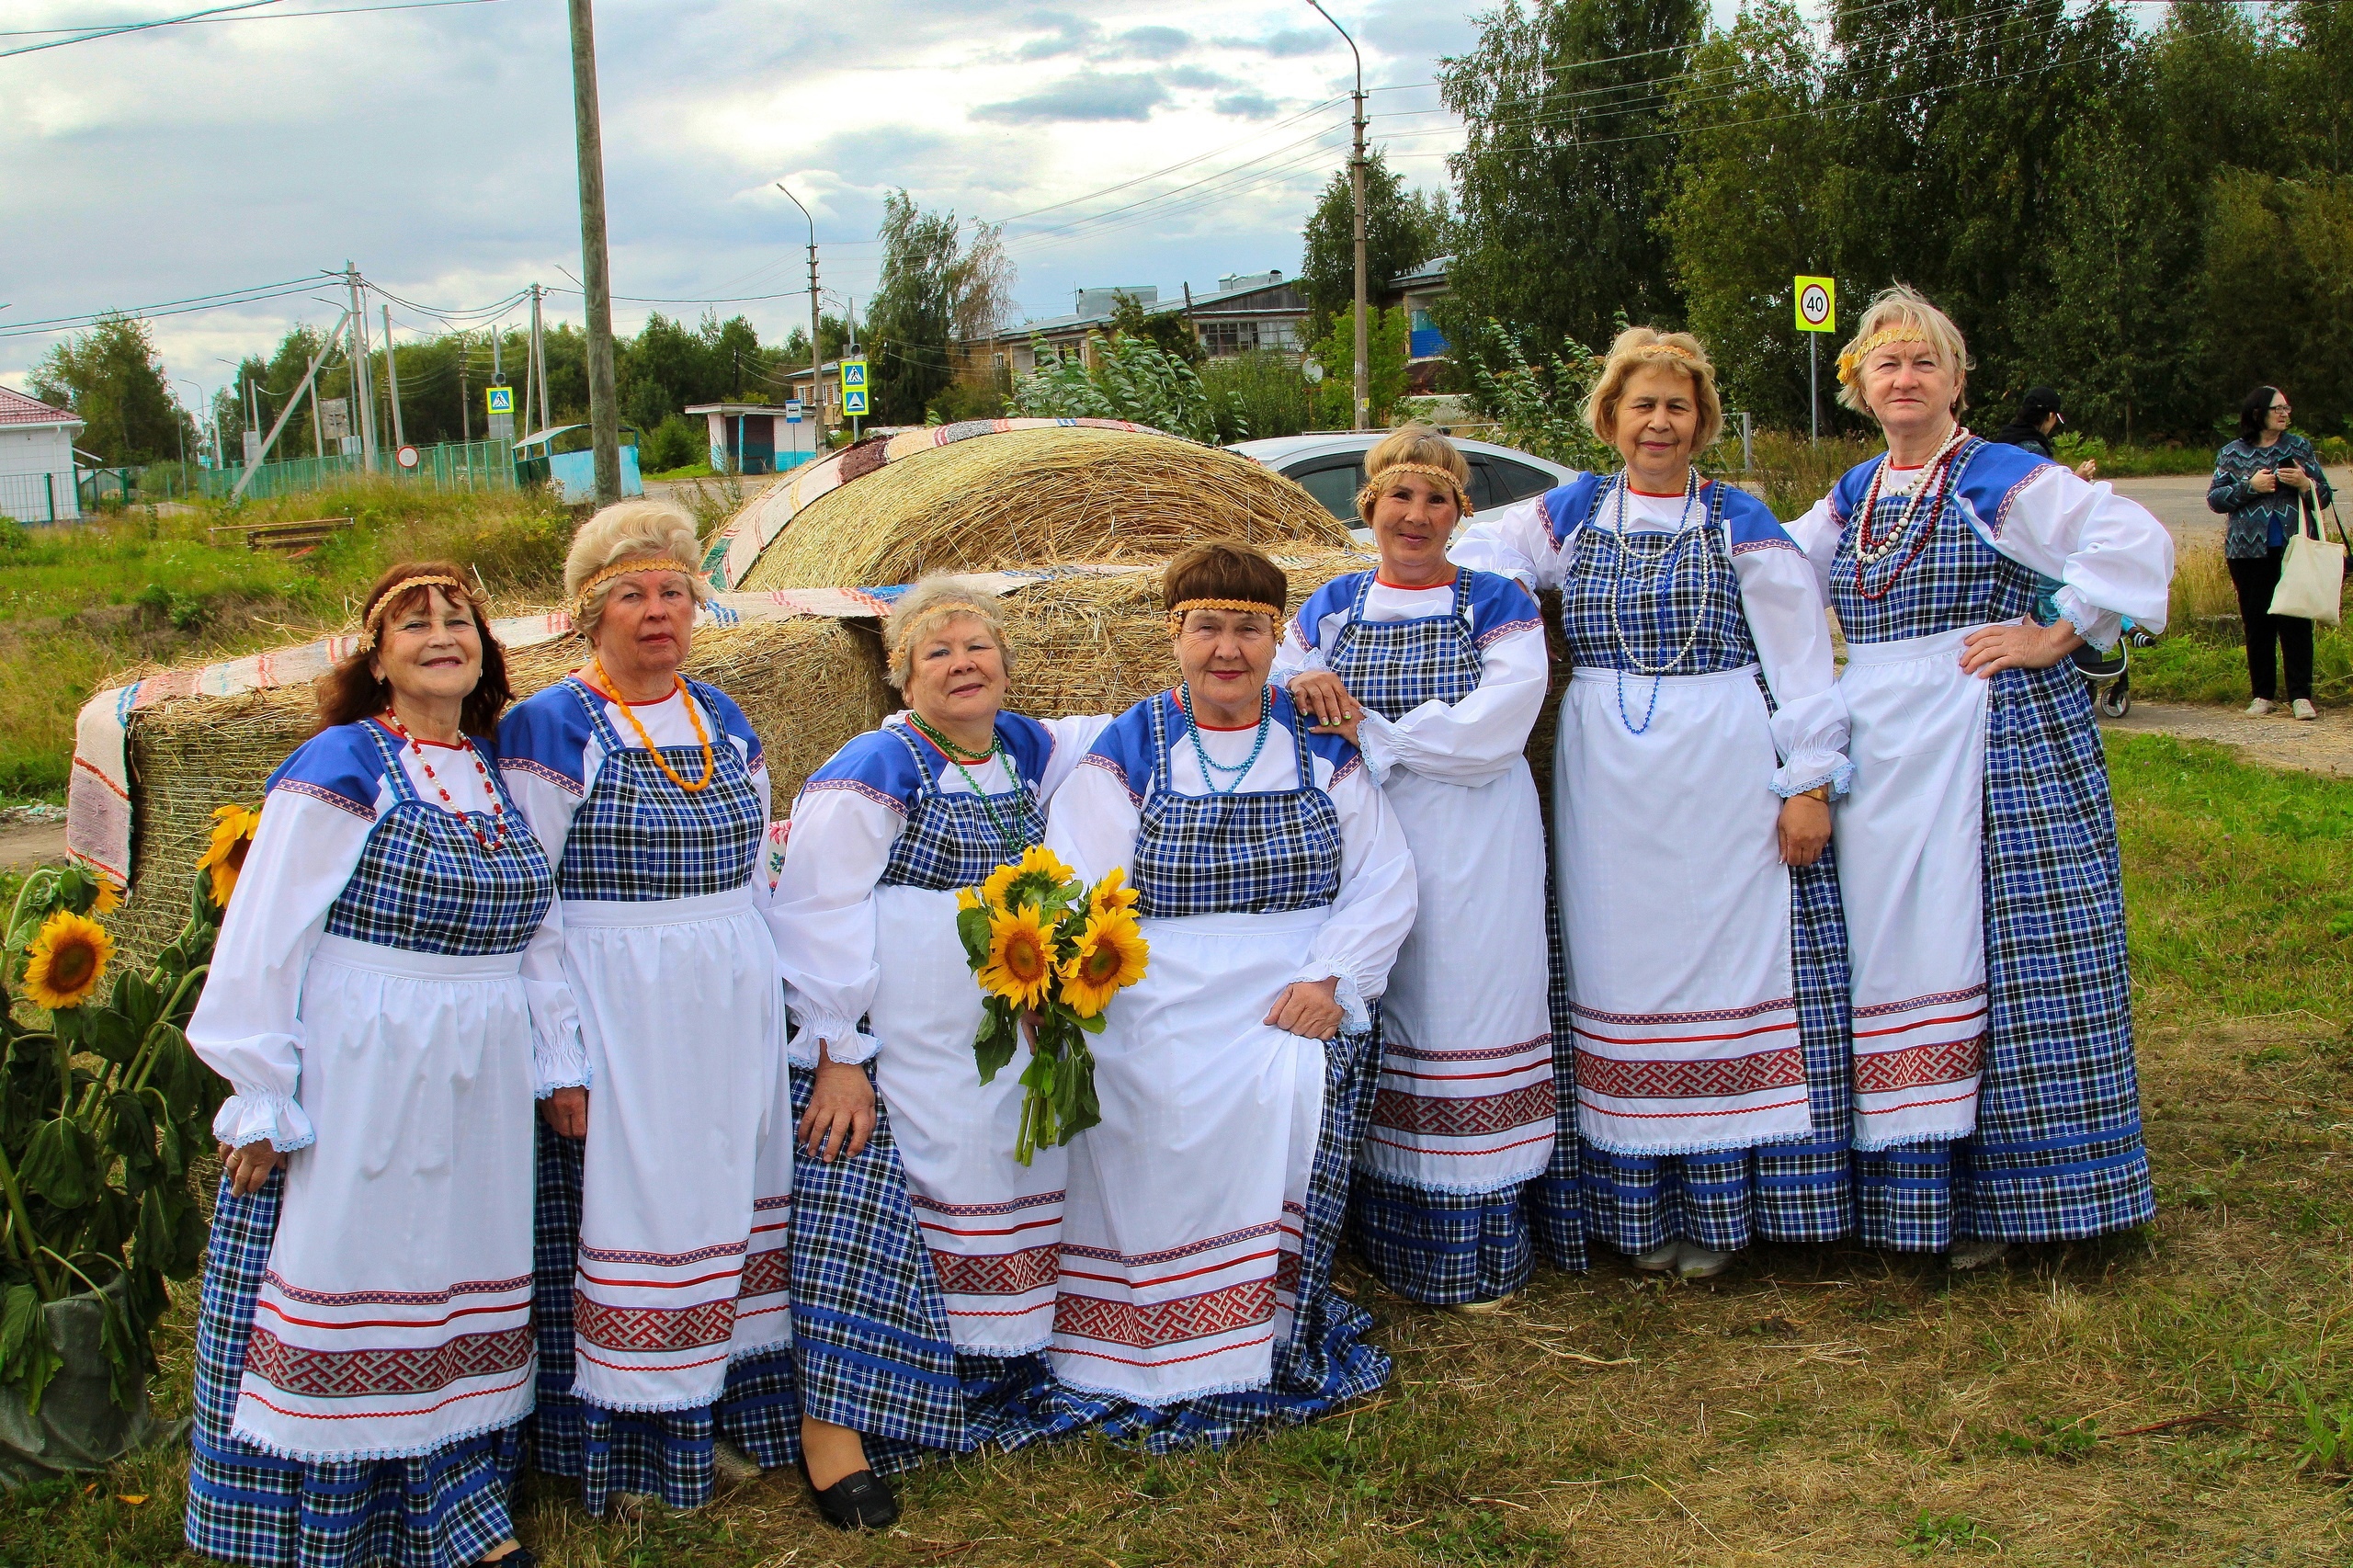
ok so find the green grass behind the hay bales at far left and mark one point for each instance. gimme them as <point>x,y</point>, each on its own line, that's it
<point>84,604</point>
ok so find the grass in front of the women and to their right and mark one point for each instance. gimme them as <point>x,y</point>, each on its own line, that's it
<point>2166,1397</point>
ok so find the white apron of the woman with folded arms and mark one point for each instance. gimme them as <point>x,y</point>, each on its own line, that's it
<point>1467,1065</point>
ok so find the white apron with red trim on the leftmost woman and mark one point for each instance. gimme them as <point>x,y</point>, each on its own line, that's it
<point>418,1072</point>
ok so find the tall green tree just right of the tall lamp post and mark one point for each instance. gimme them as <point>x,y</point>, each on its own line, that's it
<point>1568,147</point>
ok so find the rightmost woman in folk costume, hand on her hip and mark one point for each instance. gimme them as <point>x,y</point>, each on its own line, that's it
<point>1994,1084</point>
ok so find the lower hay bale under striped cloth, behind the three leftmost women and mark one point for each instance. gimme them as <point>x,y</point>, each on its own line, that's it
<point>808,686</point>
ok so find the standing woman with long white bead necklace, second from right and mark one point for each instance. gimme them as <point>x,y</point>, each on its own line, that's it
<point>1700,745</point>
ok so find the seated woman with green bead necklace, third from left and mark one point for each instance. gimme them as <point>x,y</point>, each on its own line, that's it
<point>924,1254</point>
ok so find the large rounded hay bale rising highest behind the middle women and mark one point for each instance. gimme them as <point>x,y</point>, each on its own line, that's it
<point>1039,496</point>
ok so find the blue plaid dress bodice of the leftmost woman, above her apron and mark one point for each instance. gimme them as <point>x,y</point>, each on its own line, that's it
<point>427,884</point>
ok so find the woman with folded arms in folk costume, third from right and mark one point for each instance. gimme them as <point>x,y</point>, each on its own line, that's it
<point>1439,675</point>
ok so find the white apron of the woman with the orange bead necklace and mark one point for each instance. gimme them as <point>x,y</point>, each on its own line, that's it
<point>686,1216</point>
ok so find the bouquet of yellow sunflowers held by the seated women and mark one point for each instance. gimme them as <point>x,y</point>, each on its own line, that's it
<point>1058,950</point>
